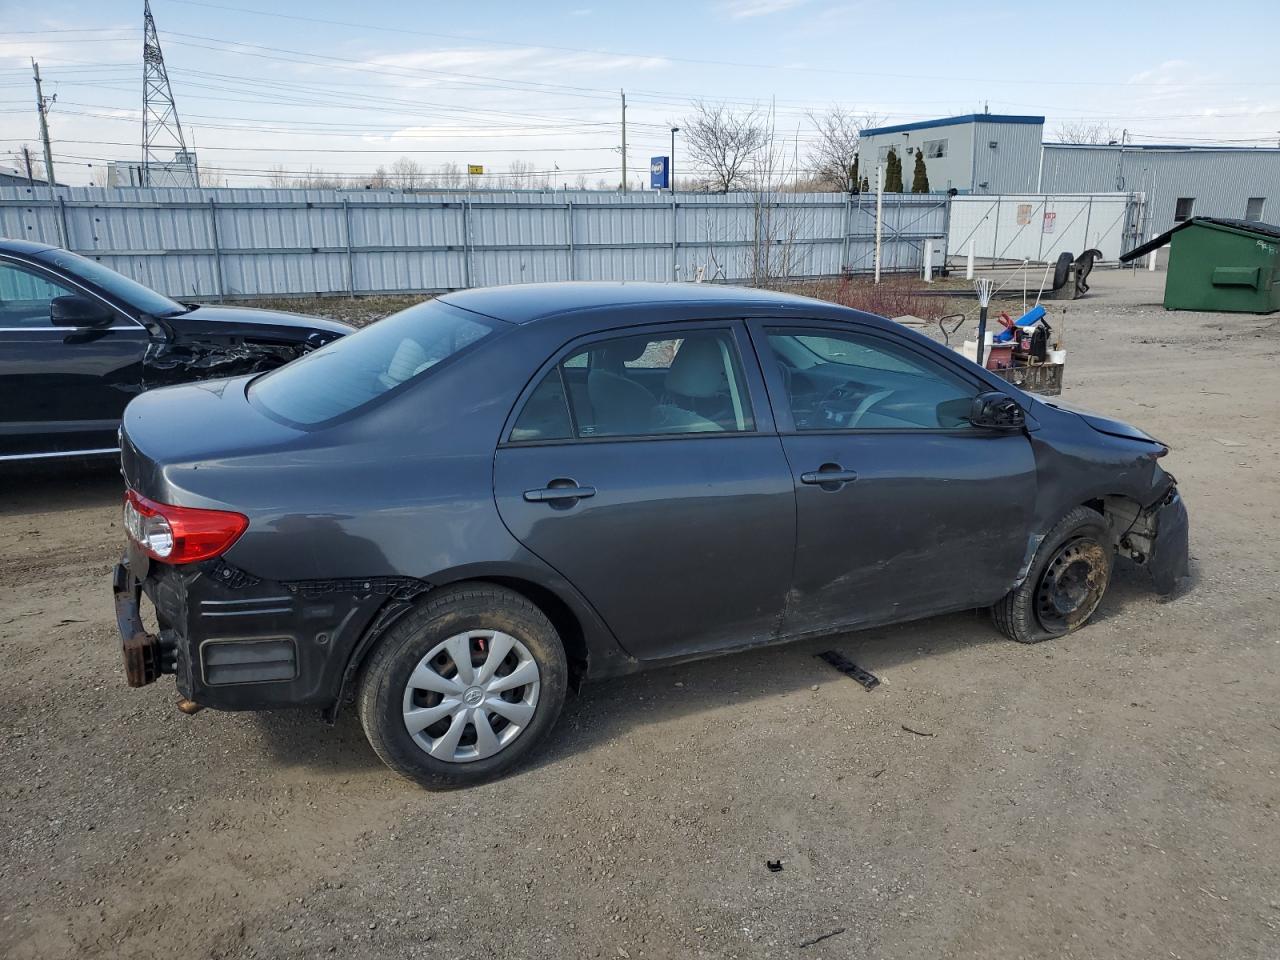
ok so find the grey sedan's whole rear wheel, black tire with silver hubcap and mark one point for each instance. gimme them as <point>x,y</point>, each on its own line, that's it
<point>464,687</point>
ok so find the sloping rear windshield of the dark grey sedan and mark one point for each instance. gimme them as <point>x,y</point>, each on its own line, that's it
<point>355,371</point>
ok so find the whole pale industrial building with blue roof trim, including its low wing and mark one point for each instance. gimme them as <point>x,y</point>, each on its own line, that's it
<point>1004,156</point>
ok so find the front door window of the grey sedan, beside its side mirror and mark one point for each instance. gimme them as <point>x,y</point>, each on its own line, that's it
<point>839,381</point>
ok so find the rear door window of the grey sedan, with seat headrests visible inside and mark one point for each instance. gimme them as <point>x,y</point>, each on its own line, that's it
<point>647,386</point>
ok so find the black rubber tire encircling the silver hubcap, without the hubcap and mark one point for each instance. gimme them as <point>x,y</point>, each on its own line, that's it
<point>442,615</point>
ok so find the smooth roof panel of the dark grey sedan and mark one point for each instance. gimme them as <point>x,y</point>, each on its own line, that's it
<point>527,303</point>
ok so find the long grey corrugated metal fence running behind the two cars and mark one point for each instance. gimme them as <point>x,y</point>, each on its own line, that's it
<point>282,243</point>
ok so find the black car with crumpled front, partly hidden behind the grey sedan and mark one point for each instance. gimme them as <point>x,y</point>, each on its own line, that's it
<point>80,341</point>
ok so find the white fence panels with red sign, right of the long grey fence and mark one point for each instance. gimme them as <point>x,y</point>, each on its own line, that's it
<point>1043,227</point>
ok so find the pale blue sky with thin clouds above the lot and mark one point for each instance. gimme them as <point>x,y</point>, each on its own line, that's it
<point>342,89</point>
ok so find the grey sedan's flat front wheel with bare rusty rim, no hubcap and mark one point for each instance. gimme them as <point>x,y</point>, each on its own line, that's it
<point>1067,582</point>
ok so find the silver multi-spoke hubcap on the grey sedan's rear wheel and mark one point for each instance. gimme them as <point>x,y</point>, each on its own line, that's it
<point>472,696</point>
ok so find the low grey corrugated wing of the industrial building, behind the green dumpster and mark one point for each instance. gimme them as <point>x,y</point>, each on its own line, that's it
<point>1220,181</point>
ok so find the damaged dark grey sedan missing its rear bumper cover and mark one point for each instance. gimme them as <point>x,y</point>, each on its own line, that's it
<point>459,513</point>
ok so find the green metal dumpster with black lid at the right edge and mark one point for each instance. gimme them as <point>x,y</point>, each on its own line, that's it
<point>1220,266</point>
